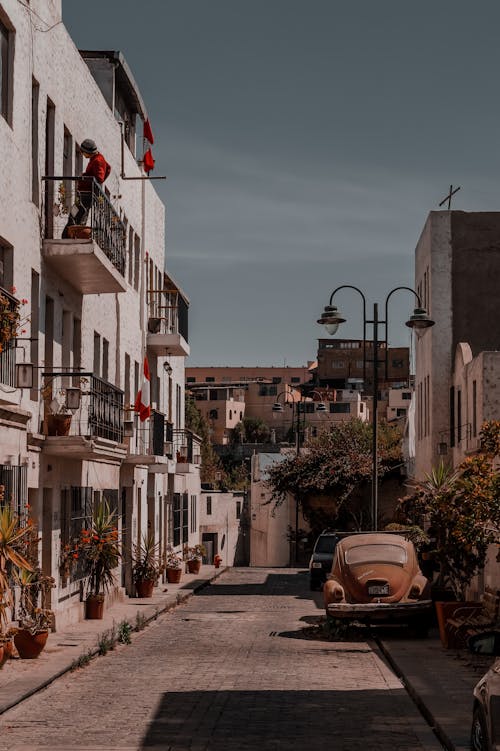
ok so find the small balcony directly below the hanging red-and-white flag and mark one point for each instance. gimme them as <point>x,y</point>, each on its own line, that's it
<point>151,443</point>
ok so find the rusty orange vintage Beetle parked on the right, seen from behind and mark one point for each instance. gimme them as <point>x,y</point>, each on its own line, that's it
<point>375,577</point>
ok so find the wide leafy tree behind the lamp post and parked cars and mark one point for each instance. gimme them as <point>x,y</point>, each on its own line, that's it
<point>331,477</point>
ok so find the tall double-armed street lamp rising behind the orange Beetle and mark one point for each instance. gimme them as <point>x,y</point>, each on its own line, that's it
<point>331,319</point>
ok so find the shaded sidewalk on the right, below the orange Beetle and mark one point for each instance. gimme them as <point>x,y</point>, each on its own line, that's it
<point>440,682</point>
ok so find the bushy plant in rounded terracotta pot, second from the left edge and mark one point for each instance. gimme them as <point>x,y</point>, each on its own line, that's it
<point>34,622</point>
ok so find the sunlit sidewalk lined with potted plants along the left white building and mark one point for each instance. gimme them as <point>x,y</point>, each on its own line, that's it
<point>21,678</point>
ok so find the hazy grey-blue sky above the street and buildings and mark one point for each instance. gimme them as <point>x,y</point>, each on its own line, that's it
<point>304,143</point>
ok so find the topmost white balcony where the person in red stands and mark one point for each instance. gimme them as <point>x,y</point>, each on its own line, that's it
<point>93,260</point>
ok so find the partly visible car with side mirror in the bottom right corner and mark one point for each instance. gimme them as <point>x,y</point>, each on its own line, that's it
<point>485,732</point>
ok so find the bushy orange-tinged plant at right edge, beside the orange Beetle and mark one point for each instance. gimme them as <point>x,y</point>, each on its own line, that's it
<point>462,507</point>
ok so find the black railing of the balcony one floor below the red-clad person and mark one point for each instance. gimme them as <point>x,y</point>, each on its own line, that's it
<point>99,414</point>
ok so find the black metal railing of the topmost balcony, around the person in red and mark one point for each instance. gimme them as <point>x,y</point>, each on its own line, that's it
<point>77,201</point>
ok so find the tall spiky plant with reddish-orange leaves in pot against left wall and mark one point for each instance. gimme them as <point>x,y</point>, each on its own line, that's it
<point>100,553</point>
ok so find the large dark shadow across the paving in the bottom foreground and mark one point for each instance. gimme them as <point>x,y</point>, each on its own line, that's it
<point>278,720</point>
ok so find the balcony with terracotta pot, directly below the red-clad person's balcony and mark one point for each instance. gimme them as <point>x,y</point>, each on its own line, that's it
<point>83,416</point>
